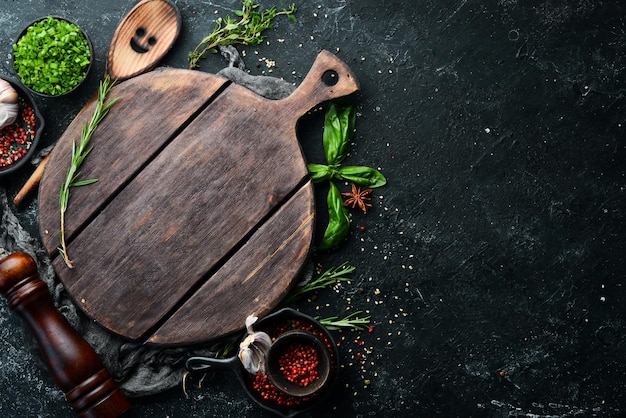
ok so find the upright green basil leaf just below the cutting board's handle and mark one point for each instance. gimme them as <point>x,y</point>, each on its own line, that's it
<point>339,125</point>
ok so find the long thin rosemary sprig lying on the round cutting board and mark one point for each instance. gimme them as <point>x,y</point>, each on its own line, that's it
<point>79,153</point>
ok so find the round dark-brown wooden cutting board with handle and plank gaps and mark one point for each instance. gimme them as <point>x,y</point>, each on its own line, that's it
<point>203,212</point>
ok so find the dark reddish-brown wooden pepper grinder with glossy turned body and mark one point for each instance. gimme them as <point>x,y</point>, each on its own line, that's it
<point>74,365</point>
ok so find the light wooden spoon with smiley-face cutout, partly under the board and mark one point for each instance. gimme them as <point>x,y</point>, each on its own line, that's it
<point>141,40</point>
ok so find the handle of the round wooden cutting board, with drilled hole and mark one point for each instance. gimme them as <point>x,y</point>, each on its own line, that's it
<point>329,78</point>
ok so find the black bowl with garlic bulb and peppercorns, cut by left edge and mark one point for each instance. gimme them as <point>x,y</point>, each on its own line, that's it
<point>21,125</point>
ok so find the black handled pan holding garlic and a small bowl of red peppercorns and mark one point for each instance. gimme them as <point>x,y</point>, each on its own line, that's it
<point>269,365</point>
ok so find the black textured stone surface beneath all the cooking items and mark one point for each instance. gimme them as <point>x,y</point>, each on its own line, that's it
<point>492,264</point>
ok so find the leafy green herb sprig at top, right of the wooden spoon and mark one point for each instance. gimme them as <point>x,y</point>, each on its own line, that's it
<point>245,31</point>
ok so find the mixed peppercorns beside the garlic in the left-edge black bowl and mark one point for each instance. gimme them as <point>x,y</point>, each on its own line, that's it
<point>16,139</point>
